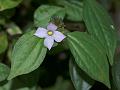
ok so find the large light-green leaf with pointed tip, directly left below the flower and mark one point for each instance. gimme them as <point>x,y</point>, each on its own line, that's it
<point>28,53</point>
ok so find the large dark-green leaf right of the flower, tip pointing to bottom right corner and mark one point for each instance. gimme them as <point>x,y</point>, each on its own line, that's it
<point>90,56</point>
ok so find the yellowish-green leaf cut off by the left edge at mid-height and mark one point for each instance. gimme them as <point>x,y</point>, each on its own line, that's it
<point>3,42</point>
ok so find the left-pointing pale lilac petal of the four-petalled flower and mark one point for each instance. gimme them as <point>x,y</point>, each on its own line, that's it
<point>41,32</point>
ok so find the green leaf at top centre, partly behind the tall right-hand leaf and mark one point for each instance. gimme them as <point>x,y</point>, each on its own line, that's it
<point>73,8</point>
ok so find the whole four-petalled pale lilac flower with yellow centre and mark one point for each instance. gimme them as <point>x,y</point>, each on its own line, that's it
<point>50,34</point>
